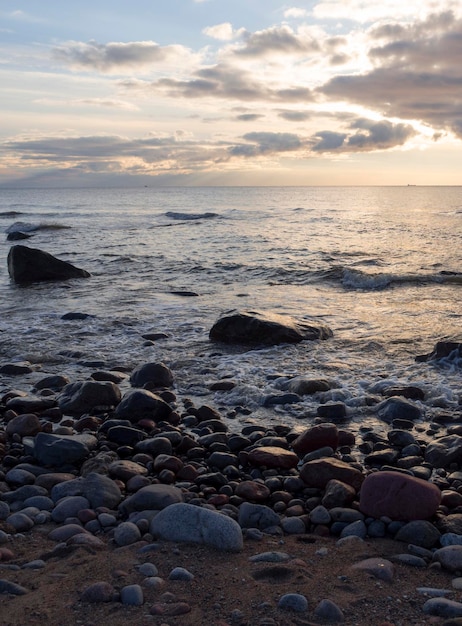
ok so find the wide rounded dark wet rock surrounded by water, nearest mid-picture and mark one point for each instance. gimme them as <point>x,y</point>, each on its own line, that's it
<point>256,328</point>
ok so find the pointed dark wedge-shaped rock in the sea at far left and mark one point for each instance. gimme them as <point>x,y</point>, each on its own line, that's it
<point>30,265</point>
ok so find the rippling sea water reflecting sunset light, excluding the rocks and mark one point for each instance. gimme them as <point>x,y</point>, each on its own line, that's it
<point>381,266</point>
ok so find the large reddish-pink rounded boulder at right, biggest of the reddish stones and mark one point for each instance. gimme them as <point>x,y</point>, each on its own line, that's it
<point>398,496</point>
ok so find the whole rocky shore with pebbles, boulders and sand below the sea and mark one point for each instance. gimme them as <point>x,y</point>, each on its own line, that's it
<point>120,501</point>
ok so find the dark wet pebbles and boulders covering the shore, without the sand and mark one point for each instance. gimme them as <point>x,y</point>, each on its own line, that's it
<point>99,465</point>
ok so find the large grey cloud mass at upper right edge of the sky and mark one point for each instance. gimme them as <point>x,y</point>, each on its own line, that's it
<point>417,73</point>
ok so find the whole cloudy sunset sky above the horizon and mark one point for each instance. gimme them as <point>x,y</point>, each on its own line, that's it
<point>230,92</point>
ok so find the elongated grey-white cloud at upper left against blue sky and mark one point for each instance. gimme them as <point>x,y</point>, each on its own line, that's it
<point>118,56</point>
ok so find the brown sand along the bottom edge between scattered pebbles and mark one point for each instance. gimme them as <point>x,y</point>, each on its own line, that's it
<point>227,587</point>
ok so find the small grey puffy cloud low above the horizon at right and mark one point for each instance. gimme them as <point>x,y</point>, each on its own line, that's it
<point>364,135</point>
